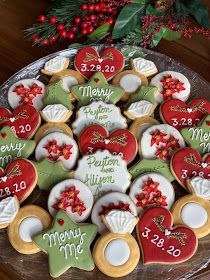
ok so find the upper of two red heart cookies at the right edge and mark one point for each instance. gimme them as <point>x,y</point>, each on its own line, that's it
<point>179,114</point>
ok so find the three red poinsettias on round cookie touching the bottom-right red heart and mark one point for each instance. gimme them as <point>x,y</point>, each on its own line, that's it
<point>150,195</point>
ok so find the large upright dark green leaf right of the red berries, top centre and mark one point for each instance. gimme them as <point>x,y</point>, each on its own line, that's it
<point>128,19</point>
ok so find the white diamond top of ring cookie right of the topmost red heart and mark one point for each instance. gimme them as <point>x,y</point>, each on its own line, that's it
<point>144,66</point>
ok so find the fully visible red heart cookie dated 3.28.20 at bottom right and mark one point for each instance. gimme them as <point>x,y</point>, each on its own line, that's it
<point>160,242</point>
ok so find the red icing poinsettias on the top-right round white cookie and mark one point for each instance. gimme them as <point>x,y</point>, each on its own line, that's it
<point>171,86</point>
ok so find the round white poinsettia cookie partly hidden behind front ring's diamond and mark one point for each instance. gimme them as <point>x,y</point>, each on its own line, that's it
<point>108,202</point>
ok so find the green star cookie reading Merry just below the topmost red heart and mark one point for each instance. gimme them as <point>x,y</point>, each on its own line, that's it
<point>97,89</point>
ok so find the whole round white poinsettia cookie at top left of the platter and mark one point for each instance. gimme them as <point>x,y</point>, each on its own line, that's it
<point>27,92</point>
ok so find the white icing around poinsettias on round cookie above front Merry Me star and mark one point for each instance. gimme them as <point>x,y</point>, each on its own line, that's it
<point>84,195</point>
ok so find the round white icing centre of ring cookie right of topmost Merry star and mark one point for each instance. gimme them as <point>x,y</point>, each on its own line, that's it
<point>130,82</point>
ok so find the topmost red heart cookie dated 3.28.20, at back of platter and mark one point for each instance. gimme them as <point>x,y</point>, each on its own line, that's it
<point>109,62</point>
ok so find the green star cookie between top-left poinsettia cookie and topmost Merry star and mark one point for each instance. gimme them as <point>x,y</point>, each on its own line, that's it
<point>57,95</point>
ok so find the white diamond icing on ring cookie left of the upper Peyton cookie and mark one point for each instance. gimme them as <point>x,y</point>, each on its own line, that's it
<point>55,112</point>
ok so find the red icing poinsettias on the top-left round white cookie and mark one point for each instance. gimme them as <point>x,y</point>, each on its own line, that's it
<point>27,94</point>
